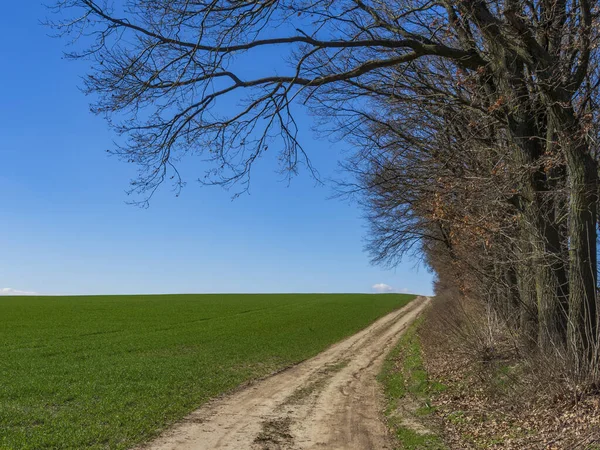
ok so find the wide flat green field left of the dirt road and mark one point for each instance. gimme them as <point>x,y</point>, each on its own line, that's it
<point>111,371</point>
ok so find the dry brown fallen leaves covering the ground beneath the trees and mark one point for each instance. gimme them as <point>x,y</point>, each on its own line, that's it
<point>487,405</point>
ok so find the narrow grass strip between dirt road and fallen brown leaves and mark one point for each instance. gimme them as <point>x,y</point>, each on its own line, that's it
<point>407,390</point>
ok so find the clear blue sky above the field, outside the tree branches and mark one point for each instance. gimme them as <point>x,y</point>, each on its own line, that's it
<point>65,227</point>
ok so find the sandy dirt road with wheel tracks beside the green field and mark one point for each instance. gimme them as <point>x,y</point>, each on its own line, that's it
<point>329,402</point>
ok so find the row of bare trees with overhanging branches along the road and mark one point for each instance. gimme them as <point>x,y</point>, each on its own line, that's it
<point>474,123</point>
